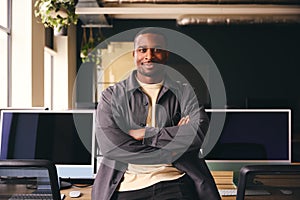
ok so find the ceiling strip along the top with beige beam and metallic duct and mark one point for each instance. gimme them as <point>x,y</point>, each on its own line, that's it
<point>186,12</point>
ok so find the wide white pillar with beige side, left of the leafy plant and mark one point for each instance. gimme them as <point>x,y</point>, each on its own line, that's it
<point>27,58</point>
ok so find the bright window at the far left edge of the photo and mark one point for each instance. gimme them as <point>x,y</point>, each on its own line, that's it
<point>5,51</point>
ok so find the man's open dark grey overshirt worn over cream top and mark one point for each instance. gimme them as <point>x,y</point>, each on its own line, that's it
<point>124,106</point>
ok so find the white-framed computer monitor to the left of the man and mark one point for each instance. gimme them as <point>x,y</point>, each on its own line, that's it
<point>63,137</point>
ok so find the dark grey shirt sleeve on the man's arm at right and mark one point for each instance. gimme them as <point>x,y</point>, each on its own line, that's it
<point>180,139</point>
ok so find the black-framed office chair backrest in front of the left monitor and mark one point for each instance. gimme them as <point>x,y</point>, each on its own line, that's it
<point>24,177</point>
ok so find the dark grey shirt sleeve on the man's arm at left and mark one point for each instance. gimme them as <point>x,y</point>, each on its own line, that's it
<point>115,143</point>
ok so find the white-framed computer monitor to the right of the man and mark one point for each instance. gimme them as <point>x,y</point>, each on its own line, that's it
<point>251,136</point>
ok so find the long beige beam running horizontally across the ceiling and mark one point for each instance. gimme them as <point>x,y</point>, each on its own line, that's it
<point>154,11</point>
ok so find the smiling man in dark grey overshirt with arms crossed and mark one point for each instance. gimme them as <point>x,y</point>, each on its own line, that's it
<point>150,130</point>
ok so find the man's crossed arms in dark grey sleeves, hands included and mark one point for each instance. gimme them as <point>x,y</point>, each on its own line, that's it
<point>148,145</point>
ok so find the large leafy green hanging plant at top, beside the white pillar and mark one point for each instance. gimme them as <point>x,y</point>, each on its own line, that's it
<point>57,14</point>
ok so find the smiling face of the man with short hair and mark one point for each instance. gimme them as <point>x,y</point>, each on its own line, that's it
<point>149,55</point>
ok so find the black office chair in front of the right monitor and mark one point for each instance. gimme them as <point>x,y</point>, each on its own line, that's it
<point>269,182</point>
